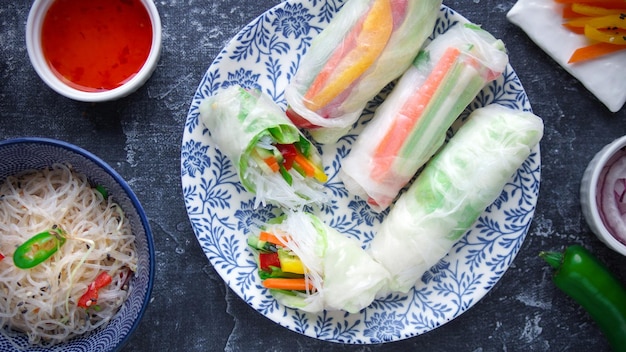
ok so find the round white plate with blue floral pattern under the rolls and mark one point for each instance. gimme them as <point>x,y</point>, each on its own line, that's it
<point>265,55</point>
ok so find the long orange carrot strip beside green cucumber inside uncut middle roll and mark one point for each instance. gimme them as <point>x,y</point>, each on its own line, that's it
<point>413,109</point>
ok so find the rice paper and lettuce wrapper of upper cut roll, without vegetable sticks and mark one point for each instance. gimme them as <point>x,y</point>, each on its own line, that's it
<point>238,120</point>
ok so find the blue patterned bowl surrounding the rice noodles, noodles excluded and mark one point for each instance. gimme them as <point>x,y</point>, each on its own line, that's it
<point>22,154</point>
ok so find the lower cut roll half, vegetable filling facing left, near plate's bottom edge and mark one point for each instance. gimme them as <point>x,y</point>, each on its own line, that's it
<point>309,266</point>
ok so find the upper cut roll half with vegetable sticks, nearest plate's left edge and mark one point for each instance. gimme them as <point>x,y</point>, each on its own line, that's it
<point>272,157</point>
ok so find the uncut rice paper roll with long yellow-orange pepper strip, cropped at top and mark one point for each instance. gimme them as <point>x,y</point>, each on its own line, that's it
<point>368,44</point>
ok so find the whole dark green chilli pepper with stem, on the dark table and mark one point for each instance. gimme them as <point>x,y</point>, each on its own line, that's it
<point>585,279</point>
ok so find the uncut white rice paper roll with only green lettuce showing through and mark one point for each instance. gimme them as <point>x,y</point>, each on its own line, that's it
<point>454,188</point>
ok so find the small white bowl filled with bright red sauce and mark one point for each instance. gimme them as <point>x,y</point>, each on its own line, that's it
<point>94,51</point>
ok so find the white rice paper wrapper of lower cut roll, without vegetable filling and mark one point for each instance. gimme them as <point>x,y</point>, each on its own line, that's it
<point>345,276</point>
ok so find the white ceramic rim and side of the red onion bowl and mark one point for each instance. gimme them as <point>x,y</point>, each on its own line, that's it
<point>588,193</point>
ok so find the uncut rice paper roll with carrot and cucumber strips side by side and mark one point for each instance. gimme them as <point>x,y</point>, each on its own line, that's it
<point>411,124</point>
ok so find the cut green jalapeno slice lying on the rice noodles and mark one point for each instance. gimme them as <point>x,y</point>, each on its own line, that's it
<point>39,248</point>
